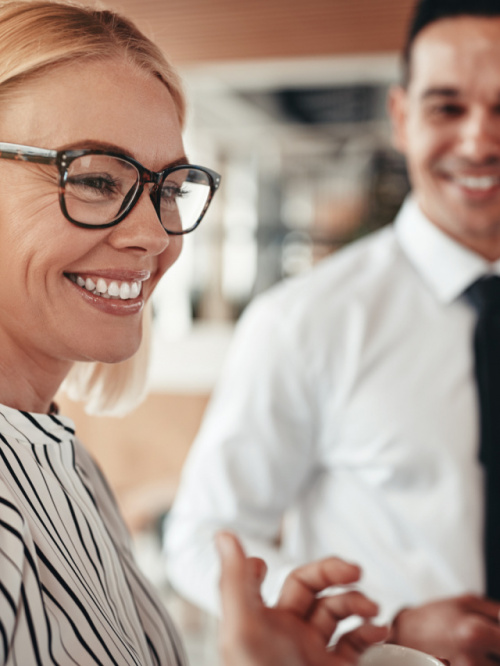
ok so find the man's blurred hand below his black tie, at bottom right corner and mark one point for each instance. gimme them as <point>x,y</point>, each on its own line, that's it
<point>464,630</point>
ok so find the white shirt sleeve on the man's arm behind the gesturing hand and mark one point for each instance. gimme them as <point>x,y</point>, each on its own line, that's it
<point>253,455</point>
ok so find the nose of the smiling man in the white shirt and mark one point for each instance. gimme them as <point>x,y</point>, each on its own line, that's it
<point>479,138</point>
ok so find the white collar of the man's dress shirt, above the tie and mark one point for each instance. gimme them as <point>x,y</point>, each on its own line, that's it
<point>446,266</point>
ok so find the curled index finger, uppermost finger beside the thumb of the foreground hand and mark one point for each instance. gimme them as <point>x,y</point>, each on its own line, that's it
<point>302,585</point>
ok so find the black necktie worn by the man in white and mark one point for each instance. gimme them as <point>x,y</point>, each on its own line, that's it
<point>485,297</point>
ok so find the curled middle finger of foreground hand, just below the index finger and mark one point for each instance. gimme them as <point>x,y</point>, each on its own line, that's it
<point>328,611</point>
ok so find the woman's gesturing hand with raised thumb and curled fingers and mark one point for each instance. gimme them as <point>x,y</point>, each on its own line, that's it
<point>297,630</point>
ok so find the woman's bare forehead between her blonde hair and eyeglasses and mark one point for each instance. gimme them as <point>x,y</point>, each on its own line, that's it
<point>111,101</point>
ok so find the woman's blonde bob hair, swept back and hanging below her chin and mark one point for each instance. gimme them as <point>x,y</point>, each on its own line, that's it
<point>36,36</point>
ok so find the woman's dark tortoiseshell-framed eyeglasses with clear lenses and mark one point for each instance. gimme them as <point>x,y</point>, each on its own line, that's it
<point>99,188</point>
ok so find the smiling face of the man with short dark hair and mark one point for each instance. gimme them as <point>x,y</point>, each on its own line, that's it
<point>447,123</point>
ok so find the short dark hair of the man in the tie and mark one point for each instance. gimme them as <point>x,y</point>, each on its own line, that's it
<point>429,11</point>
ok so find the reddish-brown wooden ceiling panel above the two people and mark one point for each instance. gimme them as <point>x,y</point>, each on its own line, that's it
<point>196,31</point>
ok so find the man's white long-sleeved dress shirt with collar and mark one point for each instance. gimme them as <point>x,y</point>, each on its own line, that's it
<point>345,423</point>
